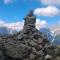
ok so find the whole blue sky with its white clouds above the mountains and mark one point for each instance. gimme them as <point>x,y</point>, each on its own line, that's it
<point>12,12</point>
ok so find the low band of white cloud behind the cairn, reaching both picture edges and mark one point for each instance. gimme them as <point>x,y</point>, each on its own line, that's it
<point>18,26</point>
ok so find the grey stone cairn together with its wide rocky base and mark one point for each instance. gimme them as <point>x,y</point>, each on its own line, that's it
<point>29,44</point>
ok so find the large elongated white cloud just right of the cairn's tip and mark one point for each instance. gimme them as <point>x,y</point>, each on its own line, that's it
<point>47,11</point>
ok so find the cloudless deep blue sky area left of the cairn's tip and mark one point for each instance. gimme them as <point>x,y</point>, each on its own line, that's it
<point>16,10</point>
